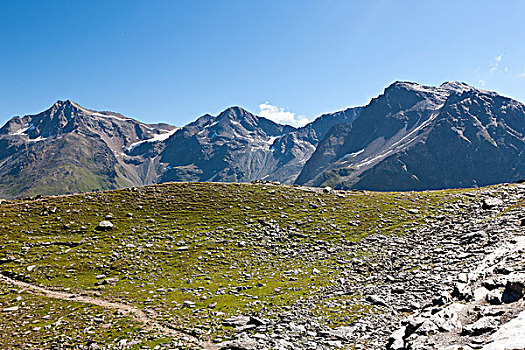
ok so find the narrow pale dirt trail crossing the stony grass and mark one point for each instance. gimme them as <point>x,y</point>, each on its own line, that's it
<point>138,314</point>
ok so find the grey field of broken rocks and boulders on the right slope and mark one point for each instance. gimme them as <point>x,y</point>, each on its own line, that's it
<point>446,285</point>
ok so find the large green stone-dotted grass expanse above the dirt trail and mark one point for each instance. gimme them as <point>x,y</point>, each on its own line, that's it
<point>203,243</point>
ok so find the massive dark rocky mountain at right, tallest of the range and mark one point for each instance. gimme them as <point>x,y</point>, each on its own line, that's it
<point>416,137</point>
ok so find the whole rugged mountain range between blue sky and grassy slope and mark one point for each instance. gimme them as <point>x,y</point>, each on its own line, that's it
<point>411,137</point>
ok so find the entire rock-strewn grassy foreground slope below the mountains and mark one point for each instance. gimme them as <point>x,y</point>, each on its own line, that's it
<point>297,268</point>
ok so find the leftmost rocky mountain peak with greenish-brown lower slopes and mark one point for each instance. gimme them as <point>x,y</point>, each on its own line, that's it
<point>100,150</point>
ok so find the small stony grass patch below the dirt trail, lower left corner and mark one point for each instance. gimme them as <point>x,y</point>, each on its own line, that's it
<point>41,322</point>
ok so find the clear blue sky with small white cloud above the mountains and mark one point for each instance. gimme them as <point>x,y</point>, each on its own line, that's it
<point>173,61</point>
